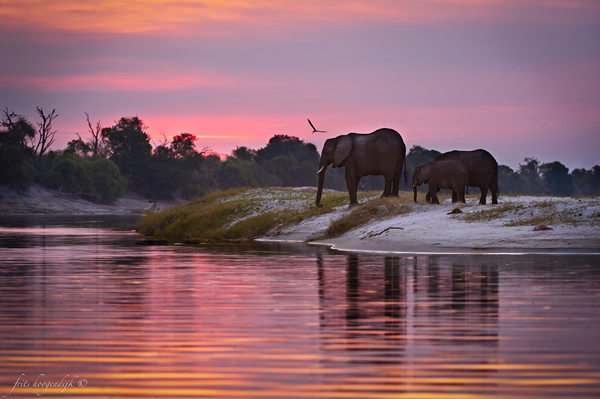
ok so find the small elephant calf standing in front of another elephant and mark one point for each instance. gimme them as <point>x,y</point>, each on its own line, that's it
<point>451,174</point>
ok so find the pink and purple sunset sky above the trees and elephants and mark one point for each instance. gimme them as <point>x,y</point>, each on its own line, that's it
<point>520,78</point>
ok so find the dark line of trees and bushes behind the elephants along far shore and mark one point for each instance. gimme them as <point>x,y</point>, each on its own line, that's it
<point>121,157</point>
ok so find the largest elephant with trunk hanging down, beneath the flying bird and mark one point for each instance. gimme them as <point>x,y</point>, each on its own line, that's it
<point>379,153</point>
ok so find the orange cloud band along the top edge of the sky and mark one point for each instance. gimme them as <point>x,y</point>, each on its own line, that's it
<point>206,16</point>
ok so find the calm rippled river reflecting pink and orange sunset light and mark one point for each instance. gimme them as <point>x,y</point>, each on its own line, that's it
<point>84,308</point>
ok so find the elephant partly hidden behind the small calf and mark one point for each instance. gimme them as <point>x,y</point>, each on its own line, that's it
<point>482,169</point>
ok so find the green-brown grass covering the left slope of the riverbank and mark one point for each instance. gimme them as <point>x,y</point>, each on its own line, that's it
<point>249,213</point>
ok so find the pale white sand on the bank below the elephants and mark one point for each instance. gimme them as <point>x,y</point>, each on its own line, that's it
<point>429,229</point>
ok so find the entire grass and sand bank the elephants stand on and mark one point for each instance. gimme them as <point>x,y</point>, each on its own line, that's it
<point>289,214</point>
